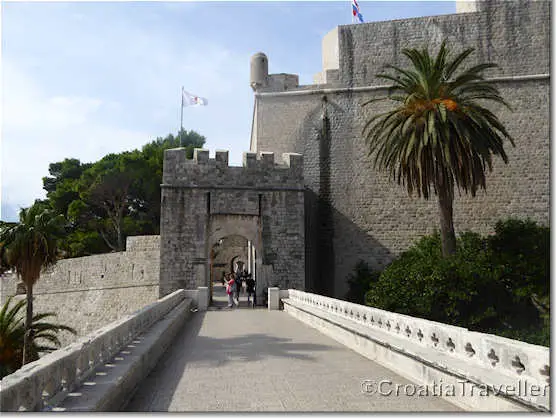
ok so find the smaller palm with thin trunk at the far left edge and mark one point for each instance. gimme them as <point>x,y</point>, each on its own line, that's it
<point>30,247</point>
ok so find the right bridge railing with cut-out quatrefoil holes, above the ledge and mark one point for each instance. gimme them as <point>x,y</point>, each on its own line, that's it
<point>517,360</point>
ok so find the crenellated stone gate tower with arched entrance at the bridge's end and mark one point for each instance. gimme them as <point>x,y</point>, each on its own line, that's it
<point>205,201</point>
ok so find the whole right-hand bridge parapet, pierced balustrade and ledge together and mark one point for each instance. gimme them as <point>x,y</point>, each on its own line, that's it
<point>488,372</point>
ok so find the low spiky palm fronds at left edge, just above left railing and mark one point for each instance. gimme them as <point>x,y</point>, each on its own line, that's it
<point>12,332</point>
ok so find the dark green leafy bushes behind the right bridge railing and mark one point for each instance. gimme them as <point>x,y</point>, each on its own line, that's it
<point>497,284</point>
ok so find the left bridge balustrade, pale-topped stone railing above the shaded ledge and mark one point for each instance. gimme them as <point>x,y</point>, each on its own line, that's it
<point>48,380</point>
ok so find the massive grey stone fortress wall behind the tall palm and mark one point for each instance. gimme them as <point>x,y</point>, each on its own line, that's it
<point>354,211</point>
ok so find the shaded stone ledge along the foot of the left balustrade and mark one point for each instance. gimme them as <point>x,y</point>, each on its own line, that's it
<point>110,386</point>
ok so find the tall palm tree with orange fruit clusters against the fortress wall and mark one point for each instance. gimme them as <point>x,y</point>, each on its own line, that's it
<point>440,134</point>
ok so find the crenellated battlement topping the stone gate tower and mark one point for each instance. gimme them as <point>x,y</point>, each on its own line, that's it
<point>257,170</point>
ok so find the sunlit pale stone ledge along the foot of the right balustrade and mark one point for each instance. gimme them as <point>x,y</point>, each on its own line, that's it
<point>415,362</point>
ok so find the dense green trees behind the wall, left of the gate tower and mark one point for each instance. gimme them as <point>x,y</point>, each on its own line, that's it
<point>114,197</point>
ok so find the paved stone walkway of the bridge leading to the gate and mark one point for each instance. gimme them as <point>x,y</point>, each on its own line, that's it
<point>259,360</point>
